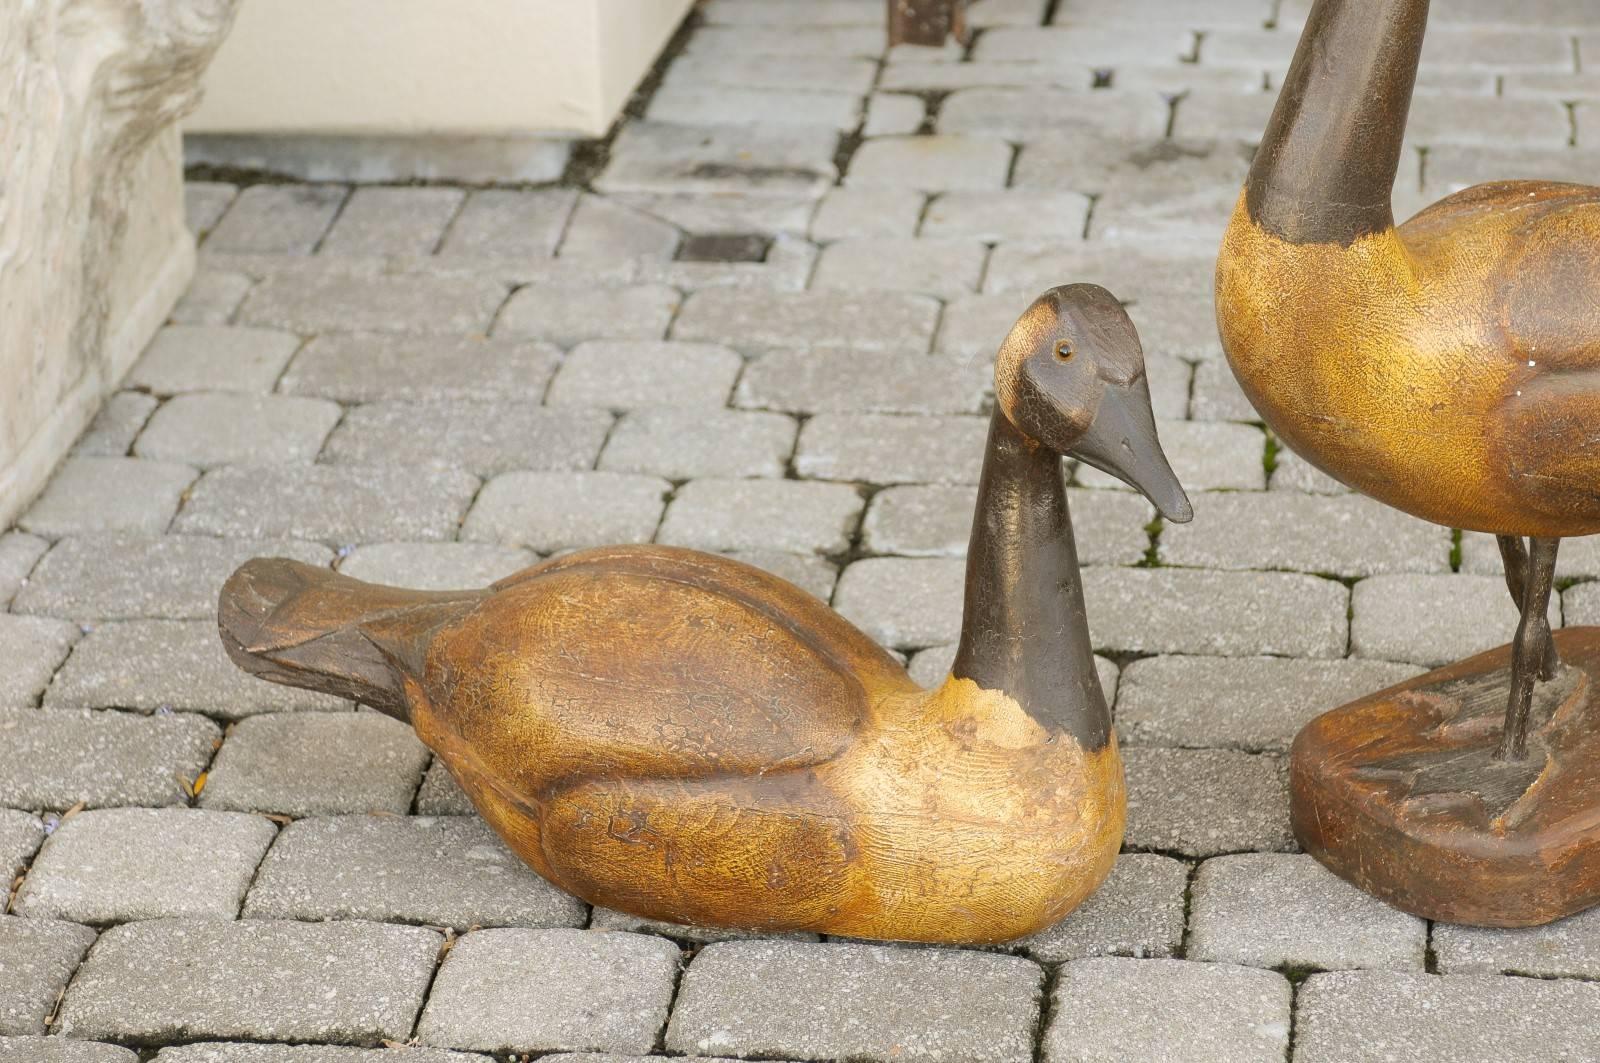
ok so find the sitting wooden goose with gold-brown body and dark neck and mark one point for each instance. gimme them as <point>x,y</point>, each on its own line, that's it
<point>689,739</point>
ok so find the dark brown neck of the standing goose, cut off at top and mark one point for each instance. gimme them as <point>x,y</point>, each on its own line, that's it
<point>1327,166</point>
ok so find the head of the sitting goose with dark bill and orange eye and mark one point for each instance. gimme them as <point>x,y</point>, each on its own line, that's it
<point>1071,379</point>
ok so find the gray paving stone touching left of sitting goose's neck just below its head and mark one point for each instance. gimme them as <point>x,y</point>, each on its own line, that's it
<point>881,449</point>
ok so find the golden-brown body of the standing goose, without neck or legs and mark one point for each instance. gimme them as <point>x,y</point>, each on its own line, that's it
<point>1449,367</point>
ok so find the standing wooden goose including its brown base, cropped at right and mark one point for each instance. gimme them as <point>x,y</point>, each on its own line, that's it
<point>1449,367</point>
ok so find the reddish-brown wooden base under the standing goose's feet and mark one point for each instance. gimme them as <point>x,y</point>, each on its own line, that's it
<point>1401,793</point>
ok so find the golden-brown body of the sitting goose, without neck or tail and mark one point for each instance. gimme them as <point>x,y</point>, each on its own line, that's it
<point>730,731</point>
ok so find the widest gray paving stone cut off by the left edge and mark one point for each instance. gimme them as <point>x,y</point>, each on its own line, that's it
<point>58,758</point>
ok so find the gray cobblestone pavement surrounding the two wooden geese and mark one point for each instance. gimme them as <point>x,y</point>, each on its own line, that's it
<point>434,387</point>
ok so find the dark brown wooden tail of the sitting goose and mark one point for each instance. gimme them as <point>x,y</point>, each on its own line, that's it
<point>308,627</point>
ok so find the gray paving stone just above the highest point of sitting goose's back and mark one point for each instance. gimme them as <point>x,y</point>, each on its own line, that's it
<point>551,511</point>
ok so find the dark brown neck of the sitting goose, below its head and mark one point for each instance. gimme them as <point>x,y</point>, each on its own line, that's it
<point>1025,630</point>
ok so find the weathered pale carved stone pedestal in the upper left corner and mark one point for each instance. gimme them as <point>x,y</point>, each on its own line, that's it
<point>94,249</point>
